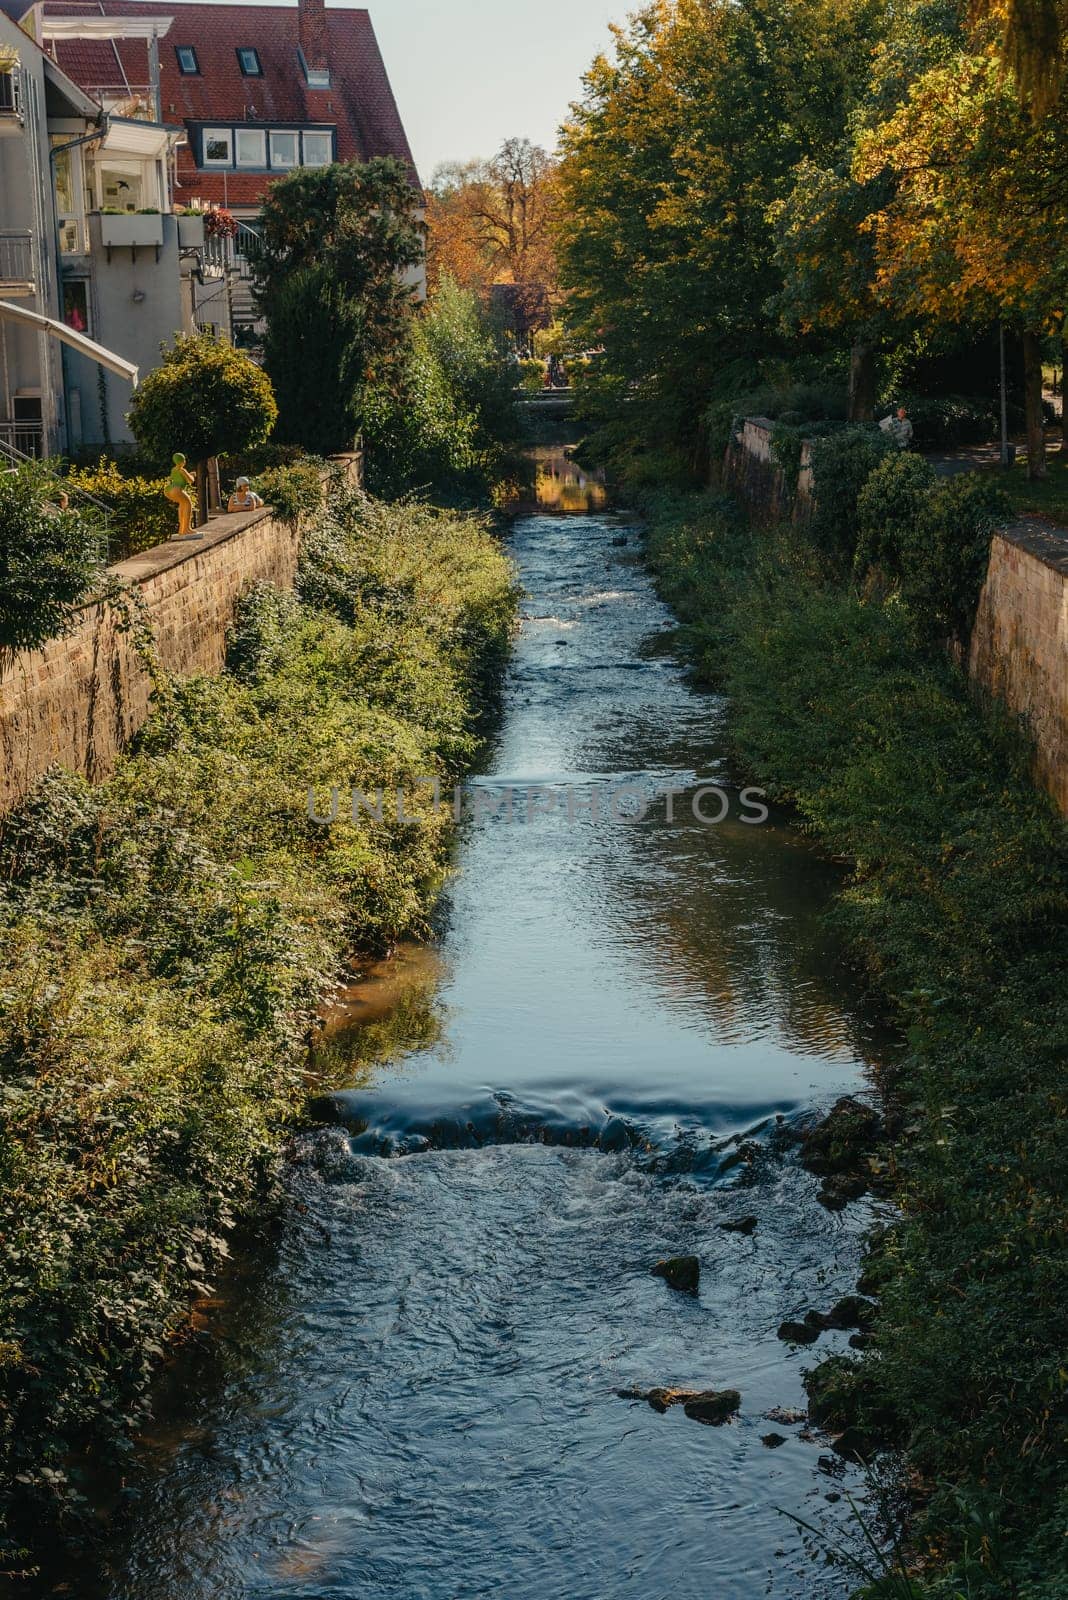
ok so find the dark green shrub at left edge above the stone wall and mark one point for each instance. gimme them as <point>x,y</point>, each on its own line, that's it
<point>49,561</point>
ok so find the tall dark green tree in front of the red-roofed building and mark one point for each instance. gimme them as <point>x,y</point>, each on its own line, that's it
<point>330,281</point>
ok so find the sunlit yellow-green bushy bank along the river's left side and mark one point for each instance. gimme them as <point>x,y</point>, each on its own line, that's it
<point>169,935</point>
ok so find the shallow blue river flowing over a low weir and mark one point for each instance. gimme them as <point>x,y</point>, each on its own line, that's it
<point>420,1393</point>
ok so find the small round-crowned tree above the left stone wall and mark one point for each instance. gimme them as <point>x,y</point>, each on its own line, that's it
<point>205,399</point>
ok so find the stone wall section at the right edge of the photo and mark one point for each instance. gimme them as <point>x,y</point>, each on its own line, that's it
<point>1021,641</point>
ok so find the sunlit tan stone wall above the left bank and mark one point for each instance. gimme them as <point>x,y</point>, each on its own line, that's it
<point>81,700</point>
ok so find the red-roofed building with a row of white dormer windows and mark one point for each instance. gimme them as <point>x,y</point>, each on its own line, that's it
<point>258,90</point>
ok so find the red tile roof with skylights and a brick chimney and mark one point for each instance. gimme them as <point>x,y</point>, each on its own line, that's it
<point>359,102</point>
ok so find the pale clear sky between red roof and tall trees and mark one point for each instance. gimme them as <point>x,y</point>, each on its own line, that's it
<point>471,74</point>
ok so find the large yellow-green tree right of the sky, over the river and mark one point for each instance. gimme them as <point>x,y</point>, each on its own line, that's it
<point>672,162</point>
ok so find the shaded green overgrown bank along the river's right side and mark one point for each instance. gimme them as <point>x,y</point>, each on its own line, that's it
<point>958,910</point>
